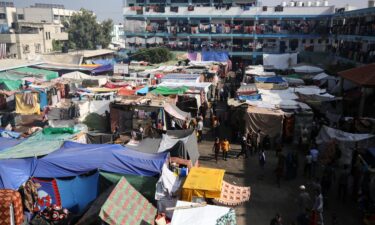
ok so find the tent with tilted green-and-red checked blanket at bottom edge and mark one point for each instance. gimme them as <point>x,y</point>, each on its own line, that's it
<point>119,205</point>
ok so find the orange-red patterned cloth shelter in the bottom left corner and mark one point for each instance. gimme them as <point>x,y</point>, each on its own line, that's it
<point>11,209</point>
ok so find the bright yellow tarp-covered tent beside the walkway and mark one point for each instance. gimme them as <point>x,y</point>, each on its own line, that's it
<point>202,182</point>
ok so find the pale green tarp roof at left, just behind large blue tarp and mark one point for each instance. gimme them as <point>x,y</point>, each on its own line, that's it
<point>37,145</point>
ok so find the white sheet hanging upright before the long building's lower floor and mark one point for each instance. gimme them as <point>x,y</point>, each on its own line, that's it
<point>280,61</point>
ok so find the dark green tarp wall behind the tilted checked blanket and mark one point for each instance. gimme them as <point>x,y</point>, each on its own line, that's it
<point>144,185</point>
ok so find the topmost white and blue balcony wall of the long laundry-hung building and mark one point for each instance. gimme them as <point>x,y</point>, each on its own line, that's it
<point>232,12</point>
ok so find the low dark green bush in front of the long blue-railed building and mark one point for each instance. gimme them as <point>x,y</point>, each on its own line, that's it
<point>152,55</point>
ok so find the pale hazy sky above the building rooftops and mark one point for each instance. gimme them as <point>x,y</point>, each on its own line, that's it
<point>105,9</point>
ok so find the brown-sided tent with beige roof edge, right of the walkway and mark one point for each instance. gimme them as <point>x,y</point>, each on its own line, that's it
<point>270,122</point>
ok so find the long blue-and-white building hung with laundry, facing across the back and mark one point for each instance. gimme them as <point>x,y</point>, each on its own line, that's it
<point>245,30</point>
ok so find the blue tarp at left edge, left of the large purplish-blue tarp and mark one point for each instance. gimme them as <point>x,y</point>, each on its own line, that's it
<point>14,172</point>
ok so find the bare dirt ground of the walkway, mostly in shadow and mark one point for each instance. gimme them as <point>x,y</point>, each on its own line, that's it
<point>267,198</point>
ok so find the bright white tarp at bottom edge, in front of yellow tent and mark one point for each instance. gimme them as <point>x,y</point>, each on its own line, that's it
<point>206,215</point>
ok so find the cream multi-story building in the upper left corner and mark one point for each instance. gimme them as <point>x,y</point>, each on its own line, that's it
<point>28,32</point>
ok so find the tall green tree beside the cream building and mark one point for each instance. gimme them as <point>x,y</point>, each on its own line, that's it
<point>86,33</point>
